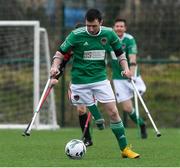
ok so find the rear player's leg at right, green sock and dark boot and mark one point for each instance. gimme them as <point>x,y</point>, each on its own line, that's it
<point>128,108</point>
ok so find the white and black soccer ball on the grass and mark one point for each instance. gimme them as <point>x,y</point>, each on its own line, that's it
<point>75,149</point>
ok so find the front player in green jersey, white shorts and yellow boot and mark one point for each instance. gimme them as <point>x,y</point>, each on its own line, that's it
<point>89,77</point>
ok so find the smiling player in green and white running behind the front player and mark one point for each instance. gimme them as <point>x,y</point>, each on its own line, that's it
<point>123,88</point>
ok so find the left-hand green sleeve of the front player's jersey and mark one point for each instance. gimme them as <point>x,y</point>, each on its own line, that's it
<point>68,44</point>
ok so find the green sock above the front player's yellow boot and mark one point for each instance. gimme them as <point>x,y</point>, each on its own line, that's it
<point>119,132</point>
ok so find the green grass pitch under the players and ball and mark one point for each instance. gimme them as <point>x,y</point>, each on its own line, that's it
<point>46,148</point>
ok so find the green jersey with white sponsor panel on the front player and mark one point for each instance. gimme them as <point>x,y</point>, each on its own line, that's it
<point>88,64</point>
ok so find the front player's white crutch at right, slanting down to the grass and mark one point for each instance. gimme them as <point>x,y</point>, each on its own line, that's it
<point>145,108</point>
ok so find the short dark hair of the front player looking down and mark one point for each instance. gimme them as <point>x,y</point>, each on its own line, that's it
<point>93,14</point>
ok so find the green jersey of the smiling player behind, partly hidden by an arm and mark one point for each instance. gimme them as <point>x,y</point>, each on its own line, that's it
<point>129,46</point>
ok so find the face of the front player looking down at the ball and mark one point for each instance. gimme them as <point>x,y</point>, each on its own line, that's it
<point>93,27</point>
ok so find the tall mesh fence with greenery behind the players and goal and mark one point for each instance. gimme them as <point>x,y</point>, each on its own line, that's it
<point>155,24</point>
